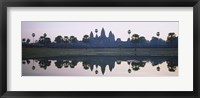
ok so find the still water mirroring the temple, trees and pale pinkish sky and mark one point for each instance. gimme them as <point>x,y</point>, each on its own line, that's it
<point>101,66</point>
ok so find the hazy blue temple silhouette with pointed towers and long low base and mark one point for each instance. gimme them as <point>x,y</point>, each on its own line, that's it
<point>102,41</point>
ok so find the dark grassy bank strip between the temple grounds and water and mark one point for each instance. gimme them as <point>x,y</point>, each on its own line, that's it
<point>52,52</point>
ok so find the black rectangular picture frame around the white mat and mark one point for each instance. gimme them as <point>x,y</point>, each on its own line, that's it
<point>98,3</point>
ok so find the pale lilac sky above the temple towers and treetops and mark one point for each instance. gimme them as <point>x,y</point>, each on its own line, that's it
<point>81,28</point>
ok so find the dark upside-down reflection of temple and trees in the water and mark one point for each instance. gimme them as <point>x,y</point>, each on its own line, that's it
<point>98,64</point>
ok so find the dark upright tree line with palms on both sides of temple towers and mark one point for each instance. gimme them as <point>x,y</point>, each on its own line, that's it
<point>72,41</point>
